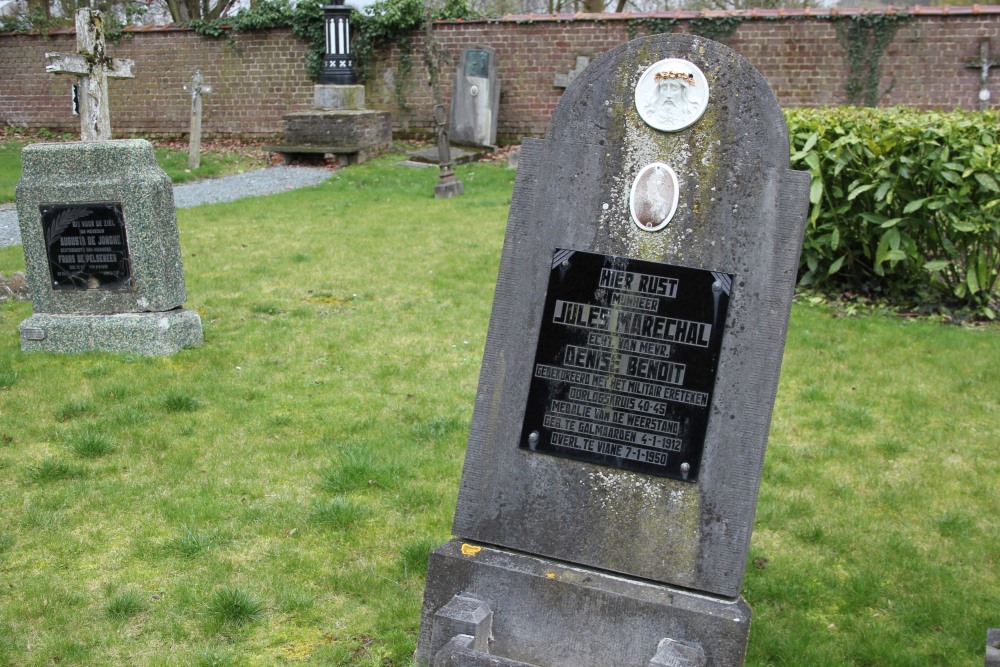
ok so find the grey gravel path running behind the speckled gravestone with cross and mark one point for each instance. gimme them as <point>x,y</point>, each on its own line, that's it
<point>211,191</point>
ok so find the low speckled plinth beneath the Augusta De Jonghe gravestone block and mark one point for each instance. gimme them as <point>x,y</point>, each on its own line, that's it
<point>148,334</point>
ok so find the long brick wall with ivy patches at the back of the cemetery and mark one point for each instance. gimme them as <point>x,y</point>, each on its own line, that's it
<point>262,77</point>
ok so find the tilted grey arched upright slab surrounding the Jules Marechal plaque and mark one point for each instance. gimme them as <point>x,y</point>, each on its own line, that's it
<point>741,211</point>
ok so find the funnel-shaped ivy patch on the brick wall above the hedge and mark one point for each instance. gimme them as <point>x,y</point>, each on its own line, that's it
<point>865,38</point>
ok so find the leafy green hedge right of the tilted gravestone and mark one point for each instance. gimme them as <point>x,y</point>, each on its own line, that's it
<point>903,205</point>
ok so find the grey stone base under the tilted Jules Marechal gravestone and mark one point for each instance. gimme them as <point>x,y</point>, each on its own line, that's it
<point>551,614</point>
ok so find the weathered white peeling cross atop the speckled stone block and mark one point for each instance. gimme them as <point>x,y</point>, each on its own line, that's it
<point>93,67</point>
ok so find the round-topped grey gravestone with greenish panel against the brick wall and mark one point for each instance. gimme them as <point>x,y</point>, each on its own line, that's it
<point>475,99</point>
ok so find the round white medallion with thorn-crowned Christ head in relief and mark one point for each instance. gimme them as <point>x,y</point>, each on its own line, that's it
<point>671,95</point>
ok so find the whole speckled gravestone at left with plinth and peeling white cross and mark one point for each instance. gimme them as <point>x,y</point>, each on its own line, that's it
<point>100,240</point>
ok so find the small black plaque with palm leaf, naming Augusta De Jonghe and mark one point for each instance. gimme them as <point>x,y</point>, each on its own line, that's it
<point>86,246</point>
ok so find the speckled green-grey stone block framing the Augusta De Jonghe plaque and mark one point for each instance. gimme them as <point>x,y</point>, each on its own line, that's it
<point>125,172</point>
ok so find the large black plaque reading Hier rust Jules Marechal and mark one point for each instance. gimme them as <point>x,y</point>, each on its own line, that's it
<point>626,363</point>
